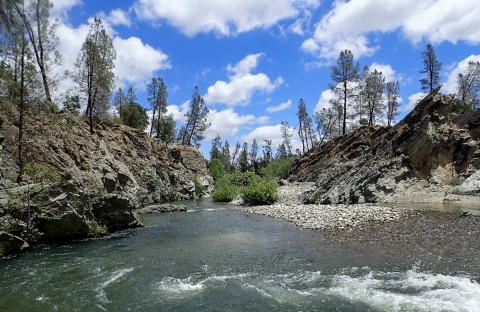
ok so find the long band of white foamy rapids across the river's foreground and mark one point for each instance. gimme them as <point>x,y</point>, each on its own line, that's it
<point>397,291</point>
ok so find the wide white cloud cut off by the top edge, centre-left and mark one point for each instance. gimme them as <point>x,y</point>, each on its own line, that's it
<point>223,17</point>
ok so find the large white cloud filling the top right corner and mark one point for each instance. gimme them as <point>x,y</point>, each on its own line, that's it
<point>348,24</point>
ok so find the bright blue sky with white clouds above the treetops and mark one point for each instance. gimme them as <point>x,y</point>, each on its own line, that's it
<point>253,60</point>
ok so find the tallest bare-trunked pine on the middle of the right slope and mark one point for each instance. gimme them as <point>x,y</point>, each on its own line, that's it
<point>344,74</point>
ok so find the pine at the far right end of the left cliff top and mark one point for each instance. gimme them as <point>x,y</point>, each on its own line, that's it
<point>196,122</point>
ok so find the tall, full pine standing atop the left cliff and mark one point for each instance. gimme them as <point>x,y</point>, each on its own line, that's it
<point>94,70</point>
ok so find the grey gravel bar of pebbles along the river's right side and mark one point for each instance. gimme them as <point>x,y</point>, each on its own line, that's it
<point>430,231</point>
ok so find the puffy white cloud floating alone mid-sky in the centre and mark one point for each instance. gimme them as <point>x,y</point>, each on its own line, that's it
<point>242,83</point>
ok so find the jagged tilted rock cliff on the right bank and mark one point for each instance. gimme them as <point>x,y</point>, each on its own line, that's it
<point>431,148</point>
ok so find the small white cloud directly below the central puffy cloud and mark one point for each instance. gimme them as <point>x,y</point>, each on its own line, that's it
<point>229,123</point>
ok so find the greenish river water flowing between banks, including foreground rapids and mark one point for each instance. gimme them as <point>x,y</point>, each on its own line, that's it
<point>217,258</point>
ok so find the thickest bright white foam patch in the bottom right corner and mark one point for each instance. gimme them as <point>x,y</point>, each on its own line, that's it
<point>411,290</point>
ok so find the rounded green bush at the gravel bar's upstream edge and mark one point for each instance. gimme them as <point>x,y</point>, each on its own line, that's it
<point>260,192</point>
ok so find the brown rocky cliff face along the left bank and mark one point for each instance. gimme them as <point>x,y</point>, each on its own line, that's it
<point>102,178</point>
